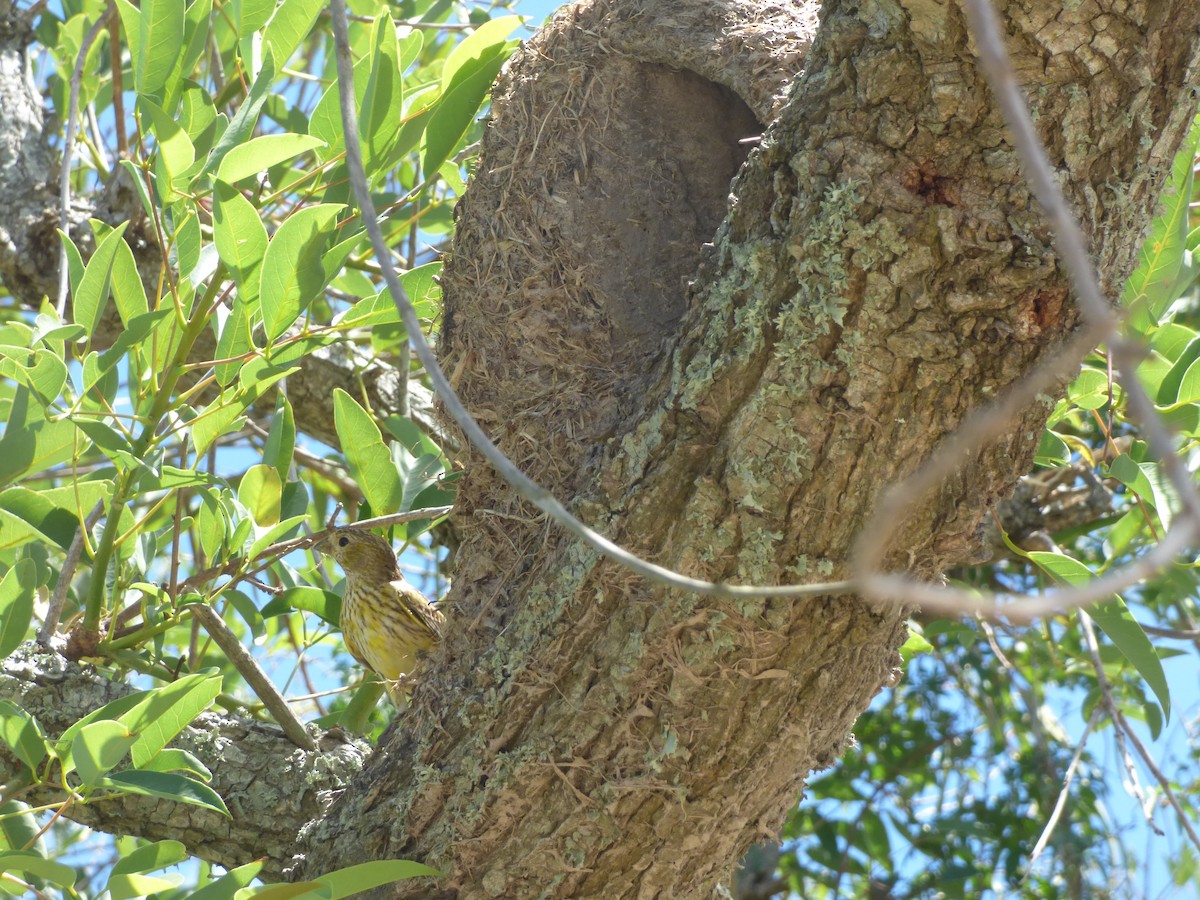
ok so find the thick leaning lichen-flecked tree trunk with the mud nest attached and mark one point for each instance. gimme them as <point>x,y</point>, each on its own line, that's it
<point>883,272</point>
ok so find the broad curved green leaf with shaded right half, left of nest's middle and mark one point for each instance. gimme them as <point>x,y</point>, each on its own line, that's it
<point>293,272</point>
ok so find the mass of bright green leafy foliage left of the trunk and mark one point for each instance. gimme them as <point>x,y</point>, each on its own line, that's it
<point>149,422</point>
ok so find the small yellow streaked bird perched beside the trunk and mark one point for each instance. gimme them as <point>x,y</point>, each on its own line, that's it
<point>387,623</point>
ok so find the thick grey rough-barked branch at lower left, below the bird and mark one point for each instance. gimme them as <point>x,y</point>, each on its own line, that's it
<point>272,788</point>
